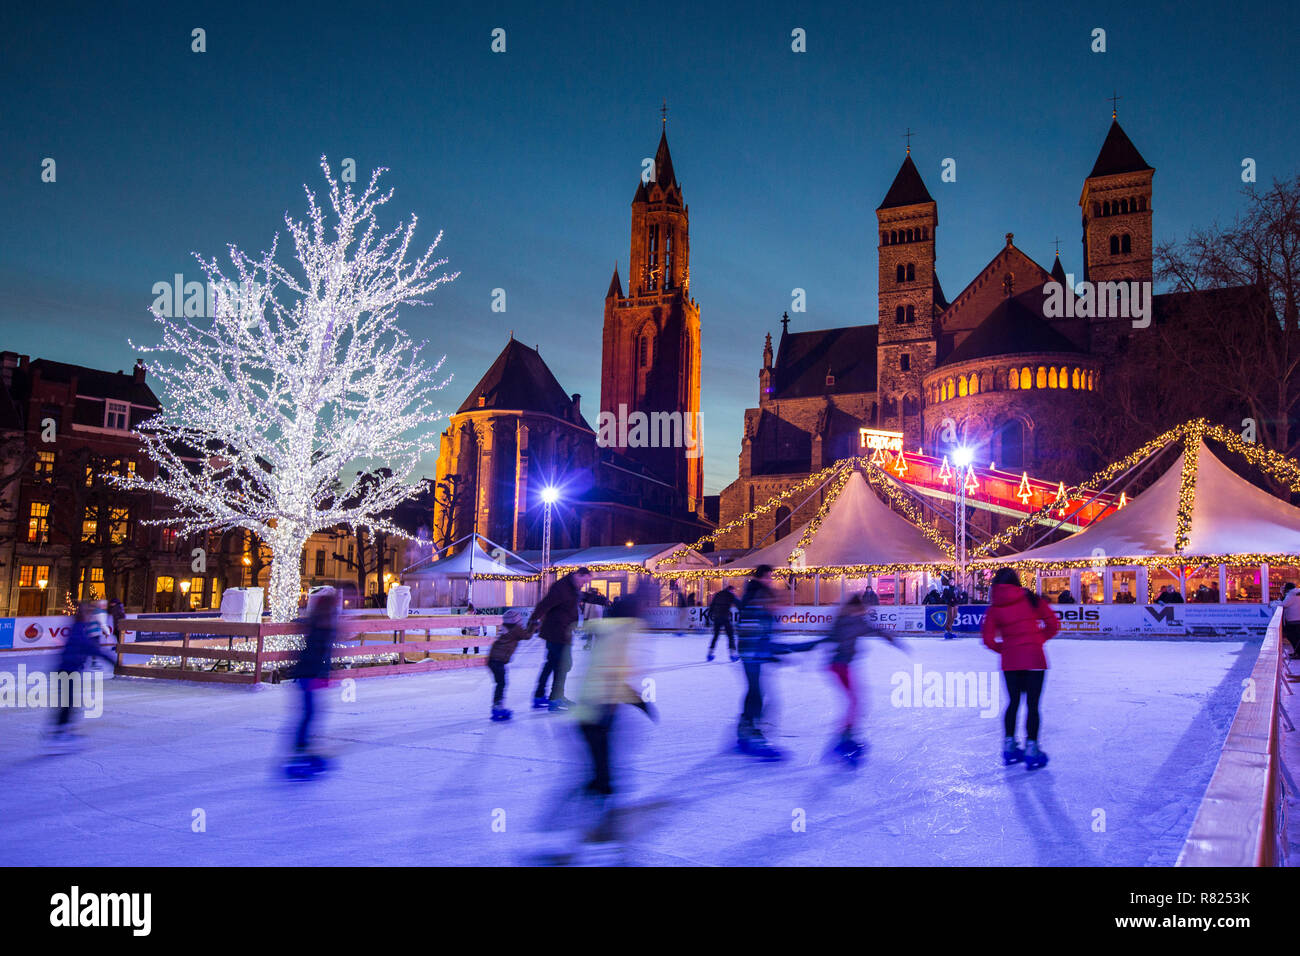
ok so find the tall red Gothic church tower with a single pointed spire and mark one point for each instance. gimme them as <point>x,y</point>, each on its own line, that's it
<point>651,356</point>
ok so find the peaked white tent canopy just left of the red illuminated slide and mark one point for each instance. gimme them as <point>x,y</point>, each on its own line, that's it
<point>859,530</point>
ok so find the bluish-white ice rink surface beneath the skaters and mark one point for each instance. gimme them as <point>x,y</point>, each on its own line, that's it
<point>423,778</point>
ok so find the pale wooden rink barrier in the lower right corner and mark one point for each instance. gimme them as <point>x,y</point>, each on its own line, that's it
<point>1242,817</point>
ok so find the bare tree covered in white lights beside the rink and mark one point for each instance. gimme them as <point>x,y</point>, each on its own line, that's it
<point>300,405</point>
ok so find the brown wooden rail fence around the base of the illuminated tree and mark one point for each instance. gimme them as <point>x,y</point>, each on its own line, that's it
<point>211,639</point>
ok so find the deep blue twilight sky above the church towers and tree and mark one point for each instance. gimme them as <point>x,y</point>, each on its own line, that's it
<point>528,159</point>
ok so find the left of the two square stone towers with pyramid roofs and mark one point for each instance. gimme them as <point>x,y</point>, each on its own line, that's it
<point>908,334</point>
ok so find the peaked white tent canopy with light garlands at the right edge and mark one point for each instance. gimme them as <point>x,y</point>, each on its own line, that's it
<point>1229,517</point>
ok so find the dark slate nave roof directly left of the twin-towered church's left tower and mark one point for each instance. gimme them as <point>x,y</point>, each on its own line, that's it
<point>804,360</point>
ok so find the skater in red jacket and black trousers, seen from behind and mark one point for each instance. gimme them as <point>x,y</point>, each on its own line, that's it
<point>1017,626</point>
